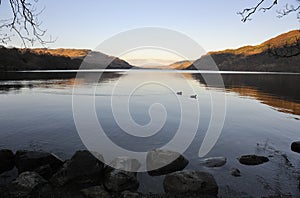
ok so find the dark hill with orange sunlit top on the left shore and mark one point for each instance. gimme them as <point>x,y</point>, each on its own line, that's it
<point>57,59</point>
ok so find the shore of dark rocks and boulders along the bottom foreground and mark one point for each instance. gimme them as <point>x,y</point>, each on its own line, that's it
<point>44,175</point>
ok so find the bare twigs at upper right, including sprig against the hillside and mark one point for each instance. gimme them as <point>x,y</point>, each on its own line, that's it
<point>288,49</point>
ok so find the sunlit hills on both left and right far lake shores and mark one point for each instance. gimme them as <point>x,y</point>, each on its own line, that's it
<point>281,54</point>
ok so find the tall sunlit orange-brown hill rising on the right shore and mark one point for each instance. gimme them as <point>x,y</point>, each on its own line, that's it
<point>279,54</point>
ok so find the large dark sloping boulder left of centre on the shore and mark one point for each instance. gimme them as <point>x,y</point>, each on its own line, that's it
<point>83,165</point>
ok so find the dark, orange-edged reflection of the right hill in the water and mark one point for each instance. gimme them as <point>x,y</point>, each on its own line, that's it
<point>278,91</point>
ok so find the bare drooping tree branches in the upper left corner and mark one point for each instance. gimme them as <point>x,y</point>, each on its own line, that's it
<point>24,23</point>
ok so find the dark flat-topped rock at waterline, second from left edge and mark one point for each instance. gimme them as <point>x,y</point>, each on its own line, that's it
<point>30,160</point>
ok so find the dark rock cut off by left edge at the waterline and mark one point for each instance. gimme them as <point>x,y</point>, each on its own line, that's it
<point>7,160</point>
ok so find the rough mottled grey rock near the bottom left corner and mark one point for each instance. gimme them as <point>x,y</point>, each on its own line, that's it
<point>23,185</point>
